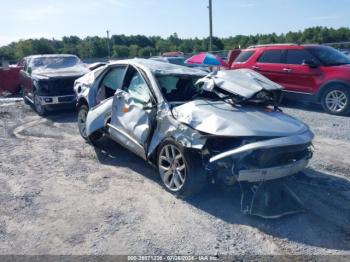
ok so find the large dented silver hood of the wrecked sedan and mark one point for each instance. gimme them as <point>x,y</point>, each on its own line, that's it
<point>222,119</point>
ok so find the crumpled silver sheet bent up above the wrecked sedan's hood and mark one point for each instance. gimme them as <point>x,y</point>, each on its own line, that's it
<point>243,82</point>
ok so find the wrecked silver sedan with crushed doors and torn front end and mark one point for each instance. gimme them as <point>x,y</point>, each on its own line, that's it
<point>193,126</point>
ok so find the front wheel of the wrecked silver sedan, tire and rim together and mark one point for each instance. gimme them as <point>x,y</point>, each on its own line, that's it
<point>184,177</point>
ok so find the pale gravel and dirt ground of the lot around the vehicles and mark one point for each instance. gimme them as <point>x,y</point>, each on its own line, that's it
<point>59,195</point>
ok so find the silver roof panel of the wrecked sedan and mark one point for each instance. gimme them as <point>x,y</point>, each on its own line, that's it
<point>159,67</point>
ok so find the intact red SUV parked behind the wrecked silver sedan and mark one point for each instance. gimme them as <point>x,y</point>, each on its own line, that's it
<point>314,73</point>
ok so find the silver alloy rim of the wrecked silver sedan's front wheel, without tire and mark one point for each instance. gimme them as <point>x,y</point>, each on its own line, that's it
<point>172,167</point>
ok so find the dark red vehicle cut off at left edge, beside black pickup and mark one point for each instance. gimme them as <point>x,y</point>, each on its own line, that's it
<point>9,78</point>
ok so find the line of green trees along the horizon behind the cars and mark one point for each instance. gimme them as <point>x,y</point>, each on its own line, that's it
<point>122,46</point>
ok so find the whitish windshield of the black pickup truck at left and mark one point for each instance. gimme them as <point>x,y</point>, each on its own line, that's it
<point>54,62</point>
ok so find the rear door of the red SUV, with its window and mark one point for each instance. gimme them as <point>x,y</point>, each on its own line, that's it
<point>271,64</point>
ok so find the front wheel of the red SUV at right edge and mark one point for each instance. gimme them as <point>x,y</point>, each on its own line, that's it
<point>336,100</point>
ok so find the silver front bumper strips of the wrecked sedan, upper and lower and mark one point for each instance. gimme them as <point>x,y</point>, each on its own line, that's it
<point>274,172</point>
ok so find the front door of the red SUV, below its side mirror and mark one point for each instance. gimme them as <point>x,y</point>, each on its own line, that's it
<point>299,77</point>
